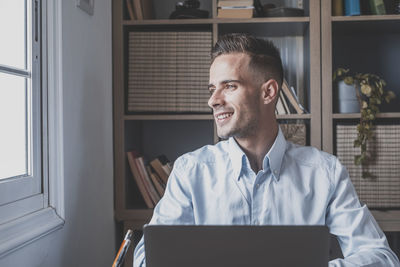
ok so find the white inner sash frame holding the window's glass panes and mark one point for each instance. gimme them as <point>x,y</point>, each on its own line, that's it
<point>22,189</point>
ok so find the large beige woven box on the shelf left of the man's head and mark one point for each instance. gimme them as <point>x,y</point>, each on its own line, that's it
<point>169,71</point>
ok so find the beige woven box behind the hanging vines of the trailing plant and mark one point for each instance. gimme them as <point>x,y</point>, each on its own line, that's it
<point>384,190</point>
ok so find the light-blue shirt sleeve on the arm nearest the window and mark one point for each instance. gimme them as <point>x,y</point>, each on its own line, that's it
<point>175,207</point>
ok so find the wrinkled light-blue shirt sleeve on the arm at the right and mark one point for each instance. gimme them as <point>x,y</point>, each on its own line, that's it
<point>362,241</point>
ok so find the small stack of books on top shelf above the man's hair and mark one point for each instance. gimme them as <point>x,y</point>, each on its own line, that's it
<point>235,9</point>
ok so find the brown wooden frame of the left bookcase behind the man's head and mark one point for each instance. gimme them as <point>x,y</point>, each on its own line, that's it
<point>128,208</point>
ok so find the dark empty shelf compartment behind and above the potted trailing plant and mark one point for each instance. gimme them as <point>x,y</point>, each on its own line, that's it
<point>355,48</point>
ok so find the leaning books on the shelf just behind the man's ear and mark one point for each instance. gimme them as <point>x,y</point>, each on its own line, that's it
<point>288,102</point>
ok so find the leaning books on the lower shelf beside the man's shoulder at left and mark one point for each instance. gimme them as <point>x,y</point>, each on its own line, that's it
<point>151,178</point>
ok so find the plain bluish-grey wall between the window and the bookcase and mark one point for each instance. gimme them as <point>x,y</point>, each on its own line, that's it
<point>88,236</point>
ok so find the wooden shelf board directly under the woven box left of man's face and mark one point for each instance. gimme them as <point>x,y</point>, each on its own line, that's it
<point>170,117</point>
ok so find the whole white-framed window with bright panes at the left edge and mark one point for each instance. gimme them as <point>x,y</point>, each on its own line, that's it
<point>29,119</point>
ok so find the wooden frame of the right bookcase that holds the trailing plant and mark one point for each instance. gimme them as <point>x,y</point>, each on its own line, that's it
<point>338,31</point>
